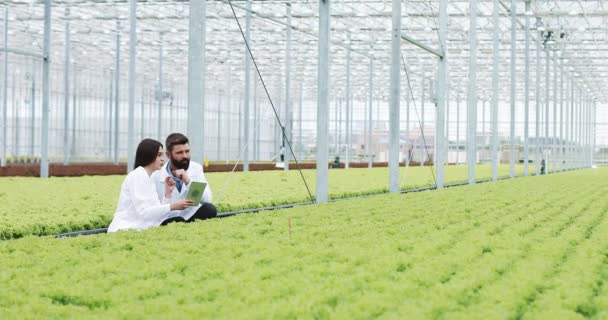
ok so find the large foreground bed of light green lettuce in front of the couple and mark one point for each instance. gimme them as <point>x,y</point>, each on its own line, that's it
<point>524,248</point>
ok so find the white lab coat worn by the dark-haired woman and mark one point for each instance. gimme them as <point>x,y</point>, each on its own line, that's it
<point>139,206</point>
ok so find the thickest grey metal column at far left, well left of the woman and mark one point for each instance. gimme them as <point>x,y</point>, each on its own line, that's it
<point>46,92</point>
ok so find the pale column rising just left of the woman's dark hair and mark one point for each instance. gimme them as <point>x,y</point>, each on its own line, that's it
<point>132,79</point>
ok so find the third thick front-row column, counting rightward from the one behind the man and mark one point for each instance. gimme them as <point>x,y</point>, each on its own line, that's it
<point>395,97</point>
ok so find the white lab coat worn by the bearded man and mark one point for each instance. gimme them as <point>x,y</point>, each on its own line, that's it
<point>195,172</point>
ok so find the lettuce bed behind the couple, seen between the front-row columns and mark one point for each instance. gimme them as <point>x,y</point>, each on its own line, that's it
<point>32,206</point>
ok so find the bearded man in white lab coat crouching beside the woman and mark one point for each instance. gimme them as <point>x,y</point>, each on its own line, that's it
<point>180,171</point>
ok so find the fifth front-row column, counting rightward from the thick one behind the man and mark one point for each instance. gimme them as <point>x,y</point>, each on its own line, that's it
<point>472,94</point>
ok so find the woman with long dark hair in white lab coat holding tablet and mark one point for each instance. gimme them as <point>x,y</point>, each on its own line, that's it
<point>139,206</point>
